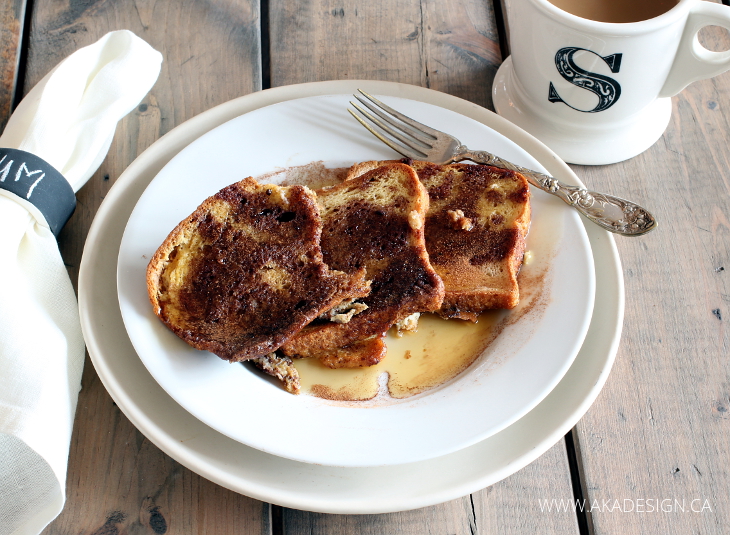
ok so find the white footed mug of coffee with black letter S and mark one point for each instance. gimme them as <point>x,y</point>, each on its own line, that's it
<point>593,79</point>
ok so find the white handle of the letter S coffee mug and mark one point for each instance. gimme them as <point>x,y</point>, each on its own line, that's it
<point>693,61</point>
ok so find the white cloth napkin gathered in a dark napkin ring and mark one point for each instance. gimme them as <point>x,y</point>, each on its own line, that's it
<point>68,120</point>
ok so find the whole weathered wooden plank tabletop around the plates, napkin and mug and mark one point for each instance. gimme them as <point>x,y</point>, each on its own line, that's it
<point>659,430</point>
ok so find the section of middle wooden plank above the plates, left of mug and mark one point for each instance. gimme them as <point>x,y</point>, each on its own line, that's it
<point>449,46</point>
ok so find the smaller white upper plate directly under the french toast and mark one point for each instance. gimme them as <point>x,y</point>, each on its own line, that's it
<point>514,374</point>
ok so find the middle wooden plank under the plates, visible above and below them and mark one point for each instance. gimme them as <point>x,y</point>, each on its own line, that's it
<point>451,46</point>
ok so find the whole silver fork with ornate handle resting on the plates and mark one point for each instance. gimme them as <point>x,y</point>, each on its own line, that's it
<point>420,142</point>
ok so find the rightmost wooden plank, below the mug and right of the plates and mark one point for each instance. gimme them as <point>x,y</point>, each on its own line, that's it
<point>660,430</point>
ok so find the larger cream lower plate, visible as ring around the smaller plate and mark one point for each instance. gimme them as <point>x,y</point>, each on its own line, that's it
<point>324,488</point>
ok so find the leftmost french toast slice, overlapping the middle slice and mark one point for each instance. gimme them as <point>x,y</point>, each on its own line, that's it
<point>244,272</point>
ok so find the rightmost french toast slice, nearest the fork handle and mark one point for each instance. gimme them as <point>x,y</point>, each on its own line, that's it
<point>476,227</point>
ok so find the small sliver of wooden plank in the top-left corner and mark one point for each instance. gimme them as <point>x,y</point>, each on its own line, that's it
<point>12,16</point>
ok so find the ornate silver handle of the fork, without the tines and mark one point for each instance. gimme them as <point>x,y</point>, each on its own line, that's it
<point>611,213</point>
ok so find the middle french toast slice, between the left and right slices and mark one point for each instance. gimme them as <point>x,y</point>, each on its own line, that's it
<point>375,222</point>
